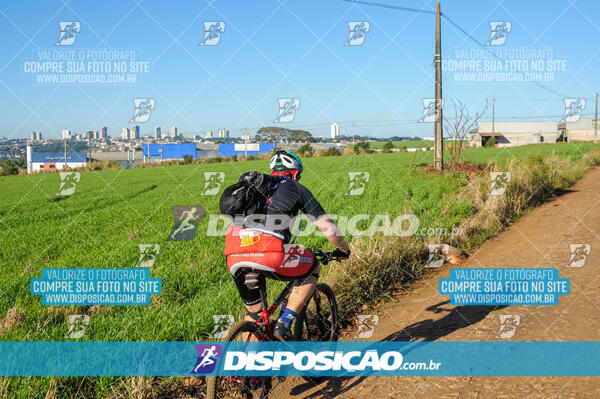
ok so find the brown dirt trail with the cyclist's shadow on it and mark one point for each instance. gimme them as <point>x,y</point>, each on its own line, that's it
<point>540,239</point>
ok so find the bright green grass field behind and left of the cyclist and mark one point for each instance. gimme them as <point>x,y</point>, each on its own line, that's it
<point>113,211</point>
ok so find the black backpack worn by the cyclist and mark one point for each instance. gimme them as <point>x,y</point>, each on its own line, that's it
<point>249,195</point>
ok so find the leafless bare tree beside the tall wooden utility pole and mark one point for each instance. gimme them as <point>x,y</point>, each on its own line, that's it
<point>458,129</point>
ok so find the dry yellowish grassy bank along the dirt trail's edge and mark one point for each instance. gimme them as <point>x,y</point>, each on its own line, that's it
<point>380,266</point>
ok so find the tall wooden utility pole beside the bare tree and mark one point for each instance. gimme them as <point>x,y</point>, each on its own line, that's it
<point>438,133</point>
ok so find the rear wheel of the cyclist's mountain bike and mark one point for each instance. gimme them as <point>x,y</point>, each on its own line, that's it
<point>239,387</point>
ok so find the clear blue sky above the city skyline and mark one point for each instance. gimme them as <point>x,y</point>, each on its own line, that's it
<point>294,49</point>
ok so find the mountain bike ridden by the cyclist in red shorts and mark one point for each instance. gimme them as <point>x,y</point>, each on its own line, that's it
<point>318,321</point>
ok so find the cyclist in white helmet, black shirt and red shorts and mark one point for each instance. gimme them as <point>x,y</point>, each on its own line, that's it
<point>264,249</point>
